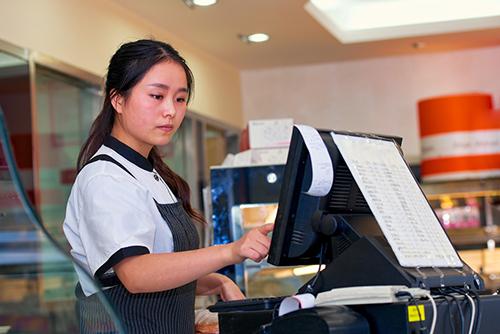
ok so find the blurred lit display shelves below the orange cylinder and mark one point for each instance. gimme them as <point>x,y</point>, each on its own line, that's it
<point>470,212</point>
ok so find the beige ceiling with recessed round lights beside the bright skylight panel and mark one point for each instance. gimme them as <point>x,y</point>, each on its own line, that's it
<point>296,38</point>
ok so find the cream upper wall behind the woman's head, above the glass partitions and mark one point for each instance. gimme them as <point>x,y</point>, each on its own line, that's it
<point>85,33</point>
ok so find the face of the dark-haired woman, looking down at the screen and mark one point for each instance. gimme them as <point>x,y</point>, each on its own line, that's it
<point>154,109</point>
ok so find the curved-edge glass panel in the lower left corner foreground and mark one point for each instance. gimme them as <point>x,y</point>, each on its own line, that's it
<point>38,279</point>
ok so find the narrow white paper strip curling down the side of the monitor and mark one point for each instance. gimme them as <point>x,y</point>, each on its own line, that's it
<point>322,169</point>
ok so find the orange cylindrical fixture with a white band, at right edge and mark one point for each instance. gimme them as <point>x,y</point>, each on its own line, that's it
<point>460,137</point>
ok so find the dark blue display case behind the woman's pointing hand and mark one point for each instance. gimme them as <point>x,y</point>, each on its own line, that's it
<point>244,198</point>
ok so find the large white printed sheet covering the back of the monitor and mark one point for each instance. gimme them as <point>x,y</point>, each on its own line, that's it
<point>398,204</point>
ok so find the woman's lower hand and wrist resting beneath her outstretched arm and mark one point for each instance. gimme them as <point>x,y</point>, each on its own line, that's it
<point>217,284</point>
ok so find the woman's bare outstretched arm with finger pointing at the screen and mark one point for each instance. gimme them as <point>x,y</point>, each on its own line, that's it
<point>165,271</point>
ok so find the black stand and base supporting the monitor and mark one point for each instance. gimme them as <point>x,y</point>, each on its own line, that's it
<point>357,260</point>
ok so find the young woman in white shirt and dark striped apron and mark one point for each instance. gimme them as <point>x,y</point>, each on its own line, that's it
<point>129,220</point>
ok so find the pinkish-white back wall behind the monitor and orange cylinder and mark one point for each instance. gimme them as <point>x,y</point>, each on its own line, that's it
<point>376,95</point>
